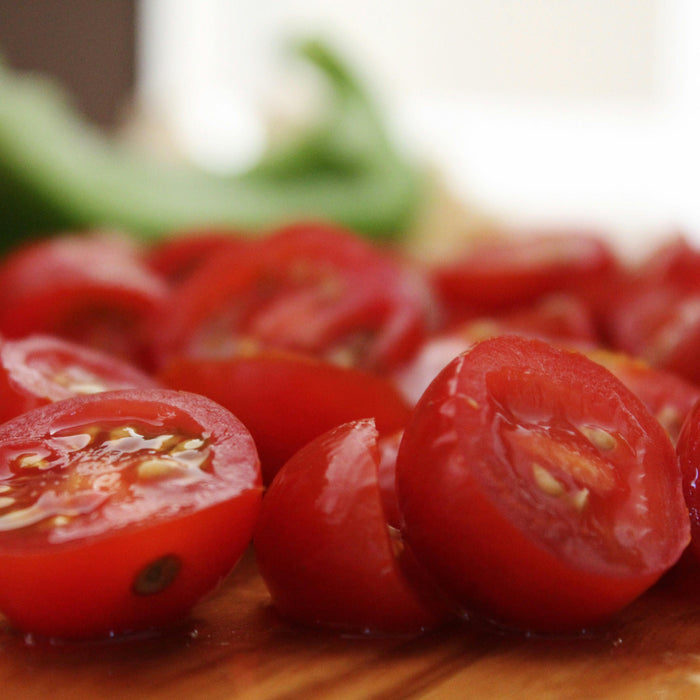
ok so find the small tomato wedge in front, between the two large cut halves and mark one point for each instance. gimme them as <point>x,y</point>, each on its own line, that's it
<point>322,542</point>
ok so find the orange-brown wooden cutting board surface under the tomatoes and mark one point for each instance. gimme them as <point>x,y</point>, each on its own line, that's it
<point>235,646</point>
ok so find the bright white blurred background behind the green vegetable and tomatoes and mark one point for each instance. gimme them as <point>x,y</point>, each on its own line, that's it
<point>541,111</point>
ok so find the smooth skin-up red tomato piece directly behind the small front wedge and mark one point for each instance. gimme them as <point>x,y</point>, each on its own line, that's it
<point>286,399</point>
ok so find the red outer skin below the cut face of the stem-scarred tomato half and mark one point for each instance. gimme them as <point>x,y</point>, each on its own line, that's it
<point>87,592</point>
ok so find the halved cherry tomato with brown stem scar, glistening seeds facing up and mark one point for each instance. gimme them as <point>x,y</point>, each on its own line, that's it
<point>120,510</point>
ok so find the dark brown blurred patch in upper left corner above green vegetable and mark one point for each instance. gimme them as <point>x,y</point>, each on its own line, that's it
<point>87,45</point>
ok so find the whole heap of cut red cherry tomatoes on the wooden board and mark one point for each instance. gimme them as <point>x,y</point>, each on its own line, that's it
<point>510,436</point>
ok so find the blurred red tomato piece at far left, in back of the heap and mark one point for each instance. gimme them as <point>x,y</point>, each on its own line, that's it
<point>92,288</point>
